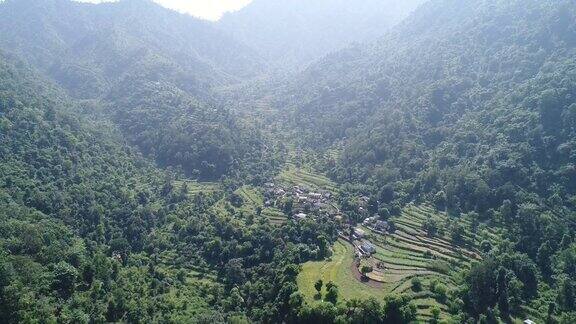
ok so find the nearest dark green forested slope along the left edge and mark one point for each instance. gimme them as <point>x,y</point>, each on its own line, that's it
<point>71,196</point>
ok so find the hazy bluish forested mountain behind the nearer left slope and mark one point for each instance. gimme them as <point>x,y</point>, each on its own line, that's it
<point>152,70</point>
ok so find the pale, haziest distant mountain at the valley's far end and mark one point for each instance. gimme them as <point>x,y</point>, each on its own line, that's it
<point>291,34</point>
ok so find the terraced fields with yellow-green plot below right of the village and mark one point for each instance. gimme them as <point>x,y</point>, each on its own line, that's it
<point>406,254</point>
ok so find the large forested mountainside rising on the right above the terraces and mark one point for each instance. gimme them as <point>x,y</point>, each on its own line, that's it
<point>485,86</point>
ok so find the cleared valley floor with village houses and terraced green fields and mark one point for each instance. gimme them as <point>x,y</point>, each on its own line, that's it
<point>407,260</point>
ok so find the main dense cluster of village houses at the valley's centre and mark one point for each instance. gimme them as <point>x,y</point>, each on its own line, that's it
<point>305,201</point>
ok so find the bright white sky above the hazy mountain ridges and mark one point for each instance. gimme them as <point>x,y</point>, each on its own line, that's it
<point>207,9</point>
